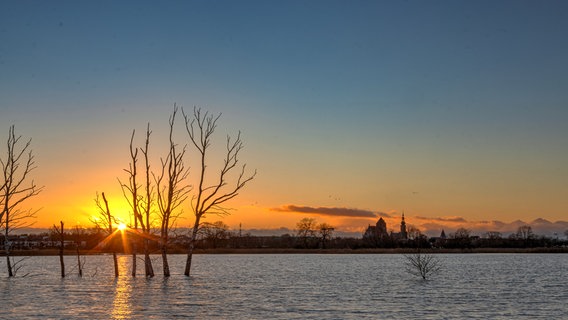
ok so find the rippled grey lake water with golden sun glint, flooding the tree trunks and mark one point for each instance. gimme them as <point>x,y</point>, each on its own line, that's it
<point>473,286</point>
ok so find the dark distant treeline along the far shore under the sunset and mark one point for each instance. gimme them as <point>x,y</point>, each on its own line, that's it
<point>95,241</point>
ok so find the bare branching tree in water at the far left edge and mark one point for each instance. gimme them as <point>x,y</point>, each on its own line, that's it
<point>15,189</point>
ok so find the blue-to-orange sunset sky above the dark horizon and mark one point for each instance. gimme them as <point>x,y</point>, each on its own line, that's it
<point>453,112</point>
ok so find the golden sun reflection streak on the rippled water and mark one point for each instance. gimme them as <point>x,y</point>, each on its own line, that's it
<point>122,304</point>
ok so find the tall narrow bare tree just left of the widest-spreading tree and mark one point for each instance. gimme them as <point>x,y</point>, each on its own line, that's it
<point>171,193</point>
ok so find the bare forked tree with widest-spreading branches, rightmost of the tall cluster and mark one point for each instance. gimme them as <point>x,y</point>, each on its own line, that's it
<point>210,196</point>
